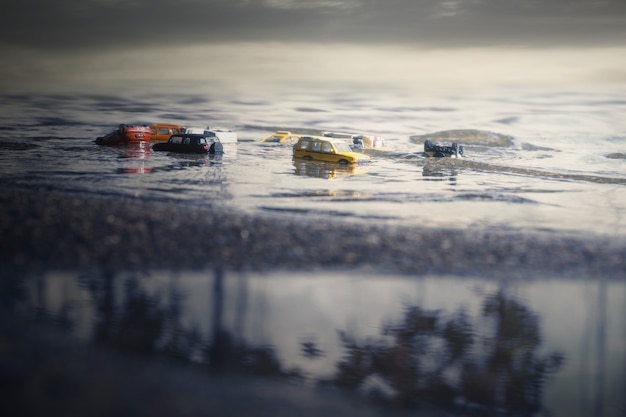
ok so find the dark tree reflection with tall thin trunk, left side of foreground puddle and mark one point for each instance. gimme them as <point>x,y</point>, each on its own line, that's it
<point>142,324</point>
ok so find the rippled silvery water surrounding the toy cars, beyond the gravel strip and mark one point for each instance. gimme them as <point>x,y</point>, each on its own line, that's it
<point>534,161</point>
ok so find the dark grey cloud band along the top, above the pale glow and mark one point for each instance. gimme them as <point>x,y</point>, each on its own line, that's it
<point>71,24</point>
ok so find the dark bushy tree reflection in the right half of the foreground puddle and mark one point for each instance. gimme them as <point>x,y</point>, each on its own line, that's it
<point>429,359</point>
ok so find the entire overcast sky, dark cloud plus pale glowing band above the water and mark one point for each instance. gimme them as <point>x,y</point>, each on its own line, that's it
<point>73,43</point>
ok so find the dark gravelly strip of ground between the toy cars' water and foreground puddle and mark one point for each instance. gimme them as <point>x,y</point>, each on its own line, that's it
<point>45,230</point>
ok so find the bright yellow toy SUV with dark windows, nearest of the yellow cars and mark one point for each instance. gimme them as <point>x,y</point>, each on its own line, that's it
<point>327,149</point>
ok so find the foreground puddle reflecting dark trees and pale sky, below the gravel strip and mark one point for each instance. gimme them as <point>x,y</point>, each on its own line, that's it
<point>467,346</point>
